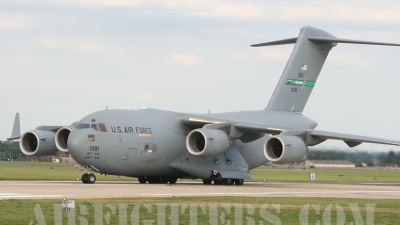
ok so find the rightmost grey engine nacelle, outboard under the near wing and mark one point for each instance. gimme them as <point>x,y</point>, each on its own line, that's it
<point>284,149</point>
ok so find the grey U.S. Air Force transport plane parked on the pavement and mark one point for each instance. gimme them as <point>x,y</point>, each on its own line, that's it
<point>158,146</point>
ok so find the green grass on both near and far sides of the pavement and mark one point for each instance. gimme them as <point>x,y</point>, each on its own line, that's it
<point>210,210</point>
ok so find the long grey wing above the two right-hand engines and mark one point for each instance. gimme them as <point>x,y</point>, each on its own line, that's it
<point>350,139</point>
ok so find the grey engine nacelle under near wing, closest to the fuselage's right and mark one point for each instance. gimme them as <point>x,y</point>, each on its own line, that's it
<point>207,142</point>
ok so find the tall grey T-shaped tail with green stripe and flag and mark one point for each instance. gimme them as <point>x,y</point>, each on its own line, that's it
<point>305,63</point>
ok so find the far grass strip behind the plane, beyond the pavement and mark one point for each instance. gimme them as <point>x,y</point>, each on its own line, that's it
<point>65,171</point>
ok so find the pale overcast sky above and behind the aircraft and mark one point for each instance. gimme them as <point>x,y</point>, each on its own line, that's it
<point>63,59</point>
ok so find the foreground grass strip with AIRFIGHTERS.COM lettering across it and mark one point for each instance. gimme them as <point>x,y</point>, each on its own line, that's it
<point>210,210</point>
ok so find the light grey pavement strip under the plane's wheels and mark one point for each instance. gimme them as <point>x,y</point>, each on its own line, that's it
<point>108,189</point>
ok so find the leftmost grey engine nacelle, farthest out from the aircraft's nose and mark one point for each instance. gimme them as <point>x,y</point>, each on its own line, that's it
<point>38,143</point>
